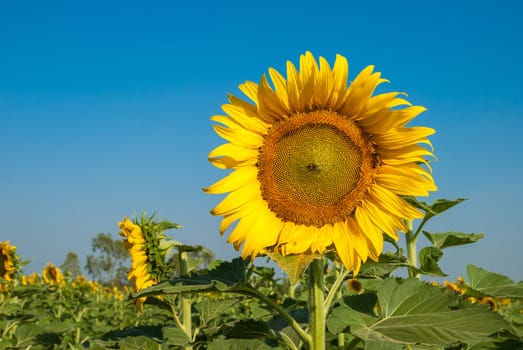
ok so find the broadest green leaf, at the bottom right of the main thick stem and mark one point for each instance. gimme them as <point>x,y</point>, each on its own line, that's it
<point>413,312</point>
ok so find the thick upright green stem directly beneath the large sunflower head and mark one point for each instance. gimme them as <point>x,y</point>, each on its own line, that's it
<point>316,305</point>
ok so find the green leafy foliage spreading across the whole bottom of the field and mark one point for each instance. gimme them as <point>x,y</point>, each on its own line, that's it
<point>211,304</point>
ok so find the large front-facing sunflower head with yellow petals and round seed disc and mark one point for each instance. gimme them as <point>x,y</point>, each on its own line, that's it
<point>319,165</point>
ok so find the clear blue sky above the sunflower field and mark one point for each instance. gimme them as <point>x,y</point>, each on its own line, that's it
<point>105,107</point>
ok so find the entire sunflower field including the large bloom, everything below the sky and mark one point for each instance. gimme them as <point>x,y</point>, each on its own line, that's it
<point>322,179</point>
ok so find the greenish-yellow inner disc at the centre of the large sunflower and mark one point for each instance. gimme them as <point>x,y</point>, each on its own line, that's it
<point>316,164</point>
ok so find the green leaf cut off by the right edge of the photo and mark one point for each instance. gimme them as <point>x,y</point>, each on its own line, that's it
<point>493,284</point>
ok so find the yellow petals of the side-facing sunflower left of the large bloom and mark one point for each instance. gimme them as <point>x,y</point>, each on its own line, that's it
<point>135,241</point>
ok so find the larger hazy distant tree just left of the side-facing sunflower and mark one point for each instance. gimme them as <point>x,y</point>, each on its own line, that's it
<point>109,262</point>
